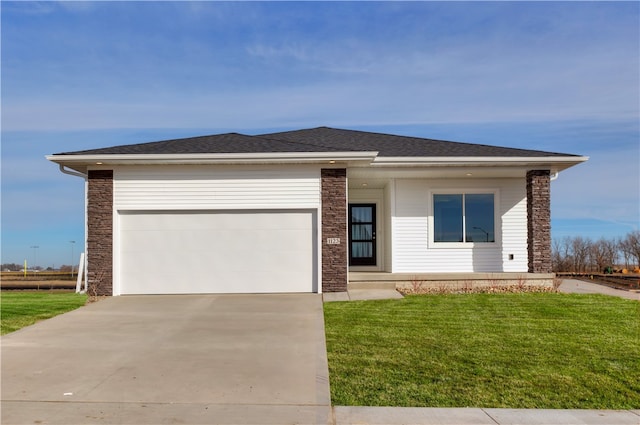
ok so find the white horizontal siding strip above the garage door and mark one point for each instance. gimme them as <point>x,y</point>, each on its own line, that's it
<point>209,188</point>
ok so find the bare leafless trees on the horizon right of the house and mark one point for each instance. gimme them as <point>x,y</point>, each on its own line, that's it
<point>583,255</point>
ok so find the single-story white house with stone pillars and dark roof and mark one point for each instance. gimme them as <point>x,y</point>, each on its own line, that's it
<point>312,210</point>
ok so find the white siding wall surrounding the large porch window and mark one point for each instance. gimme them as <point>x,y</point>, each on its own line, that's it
<point>412,252</point>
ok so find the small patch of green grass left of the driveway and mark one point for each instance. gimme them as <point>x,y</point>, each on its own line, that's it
<point>20,309</point>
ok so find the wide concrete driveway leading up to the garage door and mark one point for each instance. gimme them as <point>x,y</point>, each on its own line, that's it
<point>241,359</point>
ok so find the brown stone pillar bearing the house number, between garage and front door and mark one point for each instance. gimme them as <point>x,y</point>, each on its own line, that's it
<point>334,226</point>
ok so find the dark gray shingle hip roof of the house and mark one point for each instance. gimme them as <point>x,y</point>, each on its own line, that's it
<point>321,139</point>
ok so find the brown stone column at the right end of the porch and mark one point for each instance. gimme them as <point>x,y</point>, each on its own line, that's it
<point>539,221</point>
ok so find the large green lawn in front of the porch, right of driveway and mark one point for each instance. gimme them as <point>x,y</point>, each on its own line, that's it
<point>486,350</point>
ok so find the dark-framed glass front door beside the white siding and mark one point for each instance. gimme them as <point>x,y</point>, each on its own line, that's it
<point>362,234</point>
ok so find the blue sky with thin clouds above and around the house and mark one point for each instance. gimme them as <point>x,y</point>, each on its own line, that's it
<point>553,76</point>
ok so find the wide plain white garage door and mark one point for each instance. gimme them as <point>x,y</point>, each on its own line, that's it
<point>217,252</point>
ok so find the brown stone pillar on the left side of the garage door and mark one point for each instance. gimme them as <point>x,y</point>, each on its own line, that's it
<point>100,232</point>
